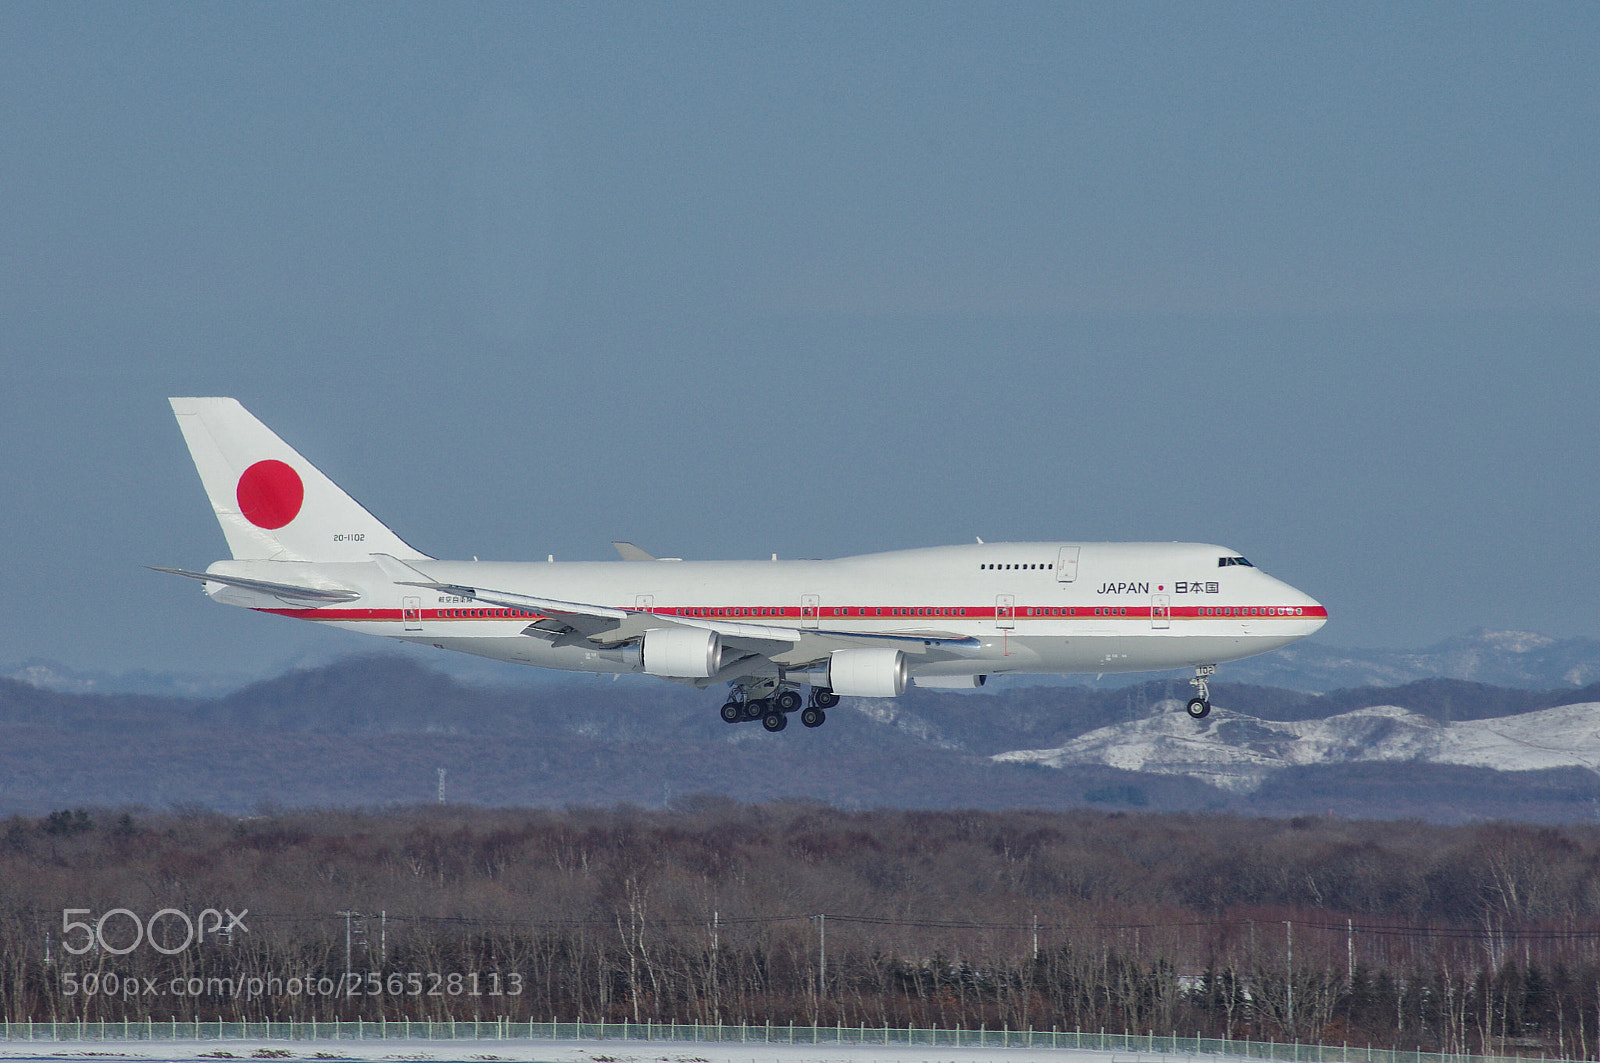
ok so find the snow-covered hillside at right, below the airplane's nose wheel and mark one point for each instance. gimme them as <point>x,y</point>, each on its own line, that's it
<point>1238,753</point>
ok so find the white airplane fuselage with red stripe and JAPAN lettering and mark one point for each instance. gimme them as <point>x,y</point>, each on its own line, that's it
<point>1017,608</point>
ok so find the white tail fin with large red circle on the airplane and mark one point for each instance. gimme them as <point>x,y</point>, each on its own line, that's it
<point>273,503</point>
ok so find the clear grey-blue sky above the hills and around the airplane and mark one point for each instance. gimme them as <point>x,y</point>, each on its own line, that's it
<point>1321,284</point>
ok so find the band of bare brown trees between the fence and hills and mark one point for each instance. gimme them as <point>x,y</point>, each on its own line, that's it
<point>1481,939</point>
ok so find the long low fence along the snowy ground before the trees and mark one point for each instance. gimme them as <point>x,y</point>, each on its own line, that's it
<point>951,1037</point>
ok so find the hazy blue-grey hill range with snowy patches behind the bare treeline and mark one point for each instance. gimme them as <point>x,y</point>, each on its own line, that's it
<point>374,732</point>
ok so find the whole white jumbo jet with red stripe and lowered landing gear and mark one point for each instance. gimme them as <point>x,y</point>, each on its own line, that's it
<point>945,617</point>
